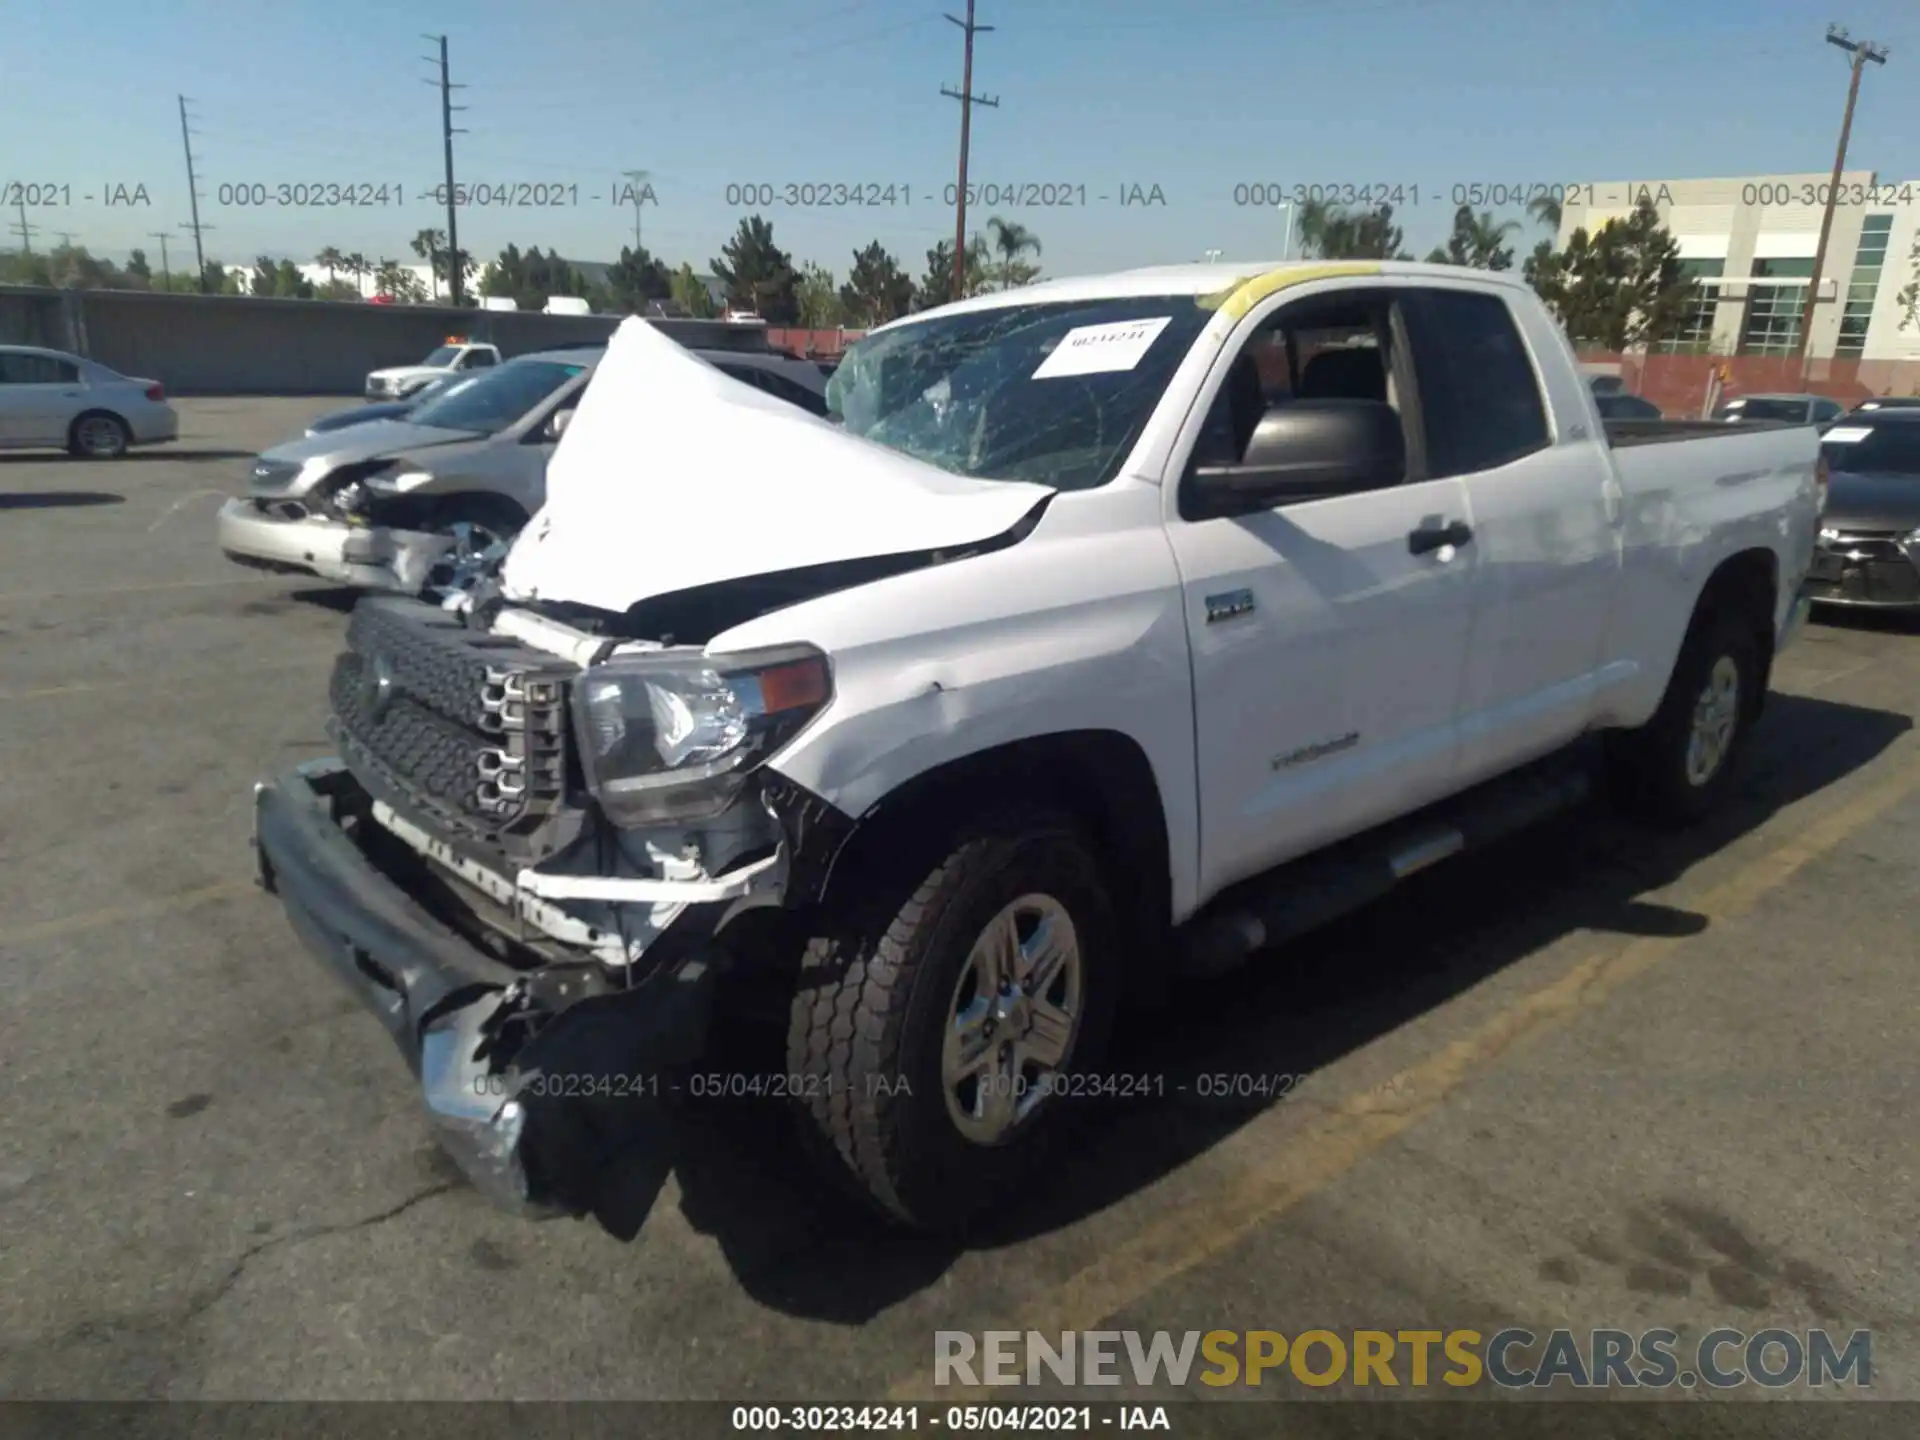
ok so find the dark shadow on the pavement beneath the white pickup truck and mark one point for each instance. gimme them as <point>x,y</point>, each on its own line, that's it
<point>805,1251</point>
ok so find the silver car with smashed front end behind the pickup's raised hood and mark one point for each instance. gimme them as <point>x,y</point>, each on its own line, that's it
<point>433,498</point>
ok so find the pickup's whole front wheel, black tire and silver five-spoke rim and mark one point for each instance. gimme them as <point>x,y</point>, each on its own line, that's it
<point>936,1038</point>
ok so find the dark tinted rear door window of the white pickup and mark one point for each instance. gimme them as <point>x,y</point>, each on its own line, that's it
<point>1479,395</point>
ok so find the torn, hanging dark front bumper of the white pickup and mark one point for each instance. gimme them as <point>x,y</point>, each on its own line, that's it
<point>546,1086</point>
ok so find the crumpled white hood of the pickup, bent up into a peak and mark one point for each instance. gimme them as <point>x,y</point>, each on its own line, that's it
<point>673,475</point>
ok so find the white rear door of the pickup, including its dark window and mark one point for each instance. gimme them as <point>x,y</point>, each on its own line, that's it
<point>1545,519</point>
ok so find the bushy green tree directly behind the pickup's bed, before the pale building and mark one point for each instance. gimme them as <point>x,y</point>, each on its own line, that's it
<point>1620,287</point>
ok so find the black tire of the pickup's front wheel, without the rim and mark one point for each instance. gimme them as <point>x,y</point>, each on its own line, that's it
<point>875,1003</point>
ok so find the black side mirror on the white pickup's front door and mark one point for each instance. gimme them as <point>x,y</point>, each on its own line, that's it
<point>1303,450</point>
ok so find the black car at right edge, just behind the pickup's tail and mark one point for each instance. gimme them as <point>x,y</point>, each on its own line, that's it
<point>1869,550</point>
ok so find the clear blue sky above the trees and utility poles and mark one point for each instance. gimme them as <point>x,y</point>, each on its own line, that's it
<point>1195,97</point>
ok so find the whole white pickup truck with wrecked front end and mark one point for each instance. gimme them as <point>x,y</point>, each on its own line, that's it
<point>1107,633</point>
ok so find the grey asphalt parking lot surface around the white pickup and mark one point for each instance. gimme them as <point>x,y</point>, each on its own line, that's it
<point>1589,1080</point>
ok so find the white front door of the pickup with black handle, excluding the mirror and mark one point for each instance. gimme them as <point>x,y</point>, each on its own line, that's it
<point>1328,642</point>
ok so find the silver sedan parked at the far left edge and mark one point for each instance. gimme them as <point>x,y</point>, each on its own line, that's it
<point>57,400</point>
